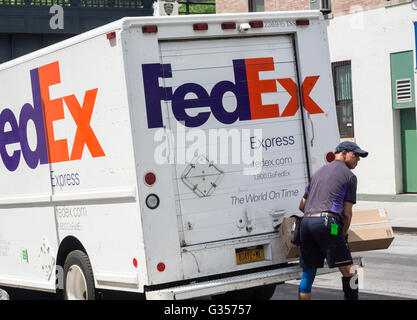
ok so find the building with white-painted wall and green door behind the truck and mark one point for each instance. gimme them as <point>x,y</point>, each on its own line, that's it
<point>372,47</point>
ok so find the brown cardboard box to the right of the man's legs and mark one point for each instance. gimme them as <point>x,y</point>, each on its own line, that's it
<point>370,230</point>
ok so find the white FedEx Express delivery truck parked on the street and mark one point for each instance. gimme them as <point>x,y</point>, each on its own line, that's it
<point>159,155</point>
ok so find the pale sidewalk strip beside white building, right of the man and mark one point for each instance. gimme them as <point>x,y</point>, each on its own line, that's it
<point>403,215</point>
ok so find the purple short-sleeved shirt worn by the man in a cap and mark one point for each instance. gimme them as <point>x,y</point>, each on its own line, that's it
<point>330,187</point>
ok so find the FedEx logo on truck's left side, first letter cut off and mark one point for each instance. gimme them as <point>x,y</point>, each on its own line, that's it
<point>43,112</point>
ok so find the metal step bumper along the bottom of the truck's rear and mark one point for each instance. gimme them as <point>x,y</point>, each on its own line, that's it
<point>218,286</point>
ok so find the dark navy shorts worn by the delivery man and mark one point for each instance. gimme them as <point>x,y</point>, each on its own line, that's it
<point>317,244</point>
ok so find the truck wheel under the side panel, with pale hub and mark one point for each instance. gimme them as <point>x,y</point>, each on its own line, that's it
<point>78,277</point>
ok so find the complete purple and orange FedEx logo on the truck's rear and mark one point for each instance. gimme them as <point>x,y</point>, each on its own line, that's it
<point>247,89</point>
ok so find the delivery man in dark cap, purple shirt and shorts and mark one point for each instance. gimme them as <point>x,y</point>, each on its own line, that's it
<point>327,207</point>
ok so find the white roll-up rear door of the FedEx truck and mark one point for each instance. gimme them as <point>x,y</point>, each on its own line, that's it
<point>237,96</point>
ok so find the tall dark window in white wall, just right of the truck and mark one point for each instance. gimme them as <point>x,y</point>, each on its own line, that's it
<point>342,81</point>
